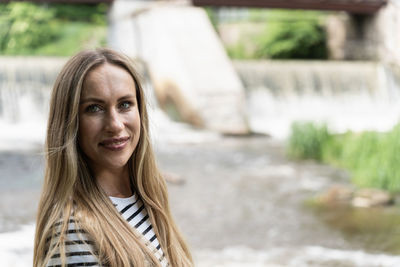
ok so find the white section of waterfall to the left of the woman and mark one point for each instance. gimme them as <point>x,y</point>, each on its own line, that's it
<point>25,85</point>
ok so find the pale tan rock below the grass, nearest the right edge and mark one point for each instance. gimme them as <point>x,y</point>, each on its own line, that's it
<point>369,197</point>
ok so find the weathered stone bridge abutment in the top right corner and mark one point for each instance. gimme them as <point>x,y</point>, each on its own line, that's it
<point>366,37</point>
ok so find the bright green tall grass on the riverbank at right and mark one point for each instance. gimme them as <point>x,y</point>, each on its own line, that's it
<point>372,158</point>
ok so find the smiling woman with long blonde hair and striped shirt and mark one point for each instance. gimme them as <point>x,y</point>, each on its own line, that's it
<point>104,202</point>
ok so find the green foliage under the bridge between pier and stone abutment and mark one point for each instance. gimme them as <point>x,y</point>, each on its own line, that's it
<point>278,34</point>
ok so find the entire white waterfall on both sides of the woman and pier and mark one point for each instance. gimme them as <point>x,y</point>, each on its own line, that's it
<point>354,96</point>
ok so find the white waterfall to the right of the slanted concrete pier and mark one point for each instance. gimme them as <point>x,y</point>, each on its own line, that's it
<point>355,96</point>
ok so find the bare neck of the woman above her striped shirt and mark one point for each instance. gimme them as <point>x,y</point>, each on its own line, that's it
<point>115,183</point>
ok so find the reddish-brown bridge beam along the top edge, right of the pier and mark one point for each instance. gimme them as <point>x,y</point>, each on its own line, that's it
<point>353,6</point>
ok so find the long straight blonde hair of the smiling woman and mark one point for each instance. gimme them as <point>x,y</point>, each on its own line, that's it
<point>69,187</point>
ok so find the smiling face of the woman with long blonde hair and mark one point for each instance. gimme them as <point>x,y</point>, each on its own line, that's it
<point>109,121</point>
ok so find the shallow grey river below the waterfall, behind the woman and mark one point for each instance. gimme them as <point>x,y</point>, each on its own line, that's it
<point>241,203</point>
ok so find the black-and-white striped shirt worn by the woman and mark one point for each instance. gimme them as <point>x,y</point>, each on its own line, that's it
<point>80,250</point>
